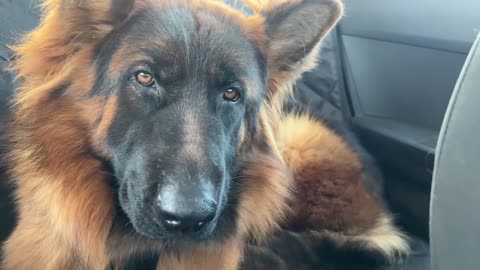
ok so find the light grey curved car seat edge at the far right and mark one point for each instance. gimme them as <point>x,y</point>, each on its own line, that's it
<point>454,222</point>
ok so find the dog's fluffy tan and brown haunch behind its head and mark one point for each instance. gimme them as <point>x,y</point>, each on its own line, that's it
<point>329,188</point>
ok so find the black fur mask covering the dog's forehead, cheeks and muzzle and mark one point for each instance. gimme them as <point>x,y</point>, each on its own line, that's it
<point>193,64</point>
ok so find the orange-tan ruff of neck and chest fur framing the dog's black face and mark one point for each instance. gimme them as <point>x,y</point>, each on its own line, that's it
<point>63,194</point>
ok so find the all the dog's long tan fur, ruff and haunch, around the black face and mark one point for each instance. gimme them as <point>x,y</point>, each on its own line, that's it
<point>63,190</point>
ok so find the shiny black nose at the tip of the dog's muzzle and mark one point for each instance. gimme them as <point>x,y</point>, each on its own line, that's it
<point>187,216</point>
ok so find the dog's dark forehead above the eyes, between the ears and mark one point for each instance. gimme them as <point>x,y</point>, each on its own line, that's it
<point>187,36</point>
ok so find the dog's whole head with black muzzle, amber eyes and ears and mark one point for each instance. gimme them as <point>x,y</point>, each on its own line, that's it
<point>172,92</point>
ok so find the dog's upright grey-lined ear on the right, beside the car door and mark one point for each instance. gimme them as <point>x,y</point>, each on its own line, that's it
<point>294,30</point>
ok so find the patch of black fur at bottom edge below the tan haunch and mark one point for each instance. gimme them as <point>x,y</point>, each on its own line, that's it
<point>310,251</point>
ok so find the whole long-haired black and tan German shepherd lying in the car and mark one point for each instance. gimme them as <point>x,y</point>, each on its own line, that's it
<point>157,129</point>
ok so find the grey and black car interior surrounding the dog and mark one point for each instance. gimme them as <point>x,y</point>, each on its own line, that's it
<point>405,75</point>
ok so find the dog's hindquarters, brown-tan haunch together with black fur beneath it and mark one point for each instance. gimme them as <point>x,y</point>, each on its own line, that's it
<point>337,219</point>
